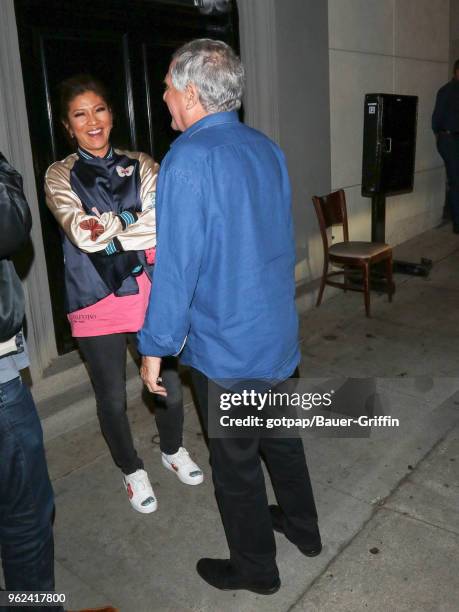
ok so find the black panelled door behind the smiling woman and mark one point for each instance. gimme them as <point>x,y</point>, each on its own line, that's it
<point>125,43</point>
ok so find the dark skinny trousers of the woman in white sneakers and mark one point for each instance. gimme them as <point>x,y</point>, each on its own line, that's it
<point>106,359</point>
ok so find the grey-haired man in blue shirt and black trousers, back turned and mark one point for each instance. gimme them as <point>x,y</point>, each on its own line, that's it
<point>224,293</point>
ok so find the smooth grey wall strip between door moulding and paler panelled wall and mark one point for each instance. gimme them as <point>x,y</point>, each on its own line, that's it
<point>304,112</point>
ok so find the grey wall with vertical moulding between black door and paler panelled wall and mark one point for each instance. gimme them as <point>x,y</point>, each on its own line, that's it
<point>284,45</point>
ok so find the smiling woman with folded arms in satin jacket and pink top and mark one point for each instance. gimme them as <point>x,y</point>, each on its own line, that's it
<point>104,202</point>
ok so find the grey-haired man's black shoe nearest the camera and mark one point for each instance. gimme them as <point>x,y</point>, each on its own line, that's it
<point>220,574</point>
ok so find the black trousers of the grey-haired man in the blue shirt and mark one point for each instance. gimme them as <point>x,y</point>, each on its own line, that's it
<point>241,493</point>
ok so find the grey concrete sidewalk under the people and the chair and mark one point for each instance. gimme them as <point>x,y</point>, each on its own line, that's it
<point>388,504</point>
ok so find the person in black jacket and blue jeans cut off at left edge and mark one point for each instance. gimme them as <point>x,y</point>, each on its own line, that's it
<point>26,496</point>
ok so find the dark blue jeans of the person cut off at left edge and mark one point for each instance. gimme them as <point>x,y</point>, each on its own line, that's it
<point>26,496</point>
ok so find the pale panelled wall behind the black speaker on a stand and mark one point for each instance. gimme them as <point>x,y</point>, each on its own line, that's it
<point>387,46</point>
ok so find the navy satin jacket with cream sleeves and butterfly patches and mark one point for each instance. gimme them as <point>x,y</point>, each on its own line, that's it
<point>105,208</point>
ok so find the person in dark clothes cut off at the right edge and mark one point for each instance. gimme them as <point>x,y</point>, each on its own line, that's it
<point>445,124</point>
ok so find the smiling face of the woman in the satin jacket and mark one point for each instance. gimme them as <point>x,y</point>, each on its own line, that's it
<point>90,121</point>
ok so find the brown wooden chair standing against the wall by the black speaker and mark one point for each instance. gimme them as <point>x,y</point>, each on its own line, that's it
<point>331,210</point>
